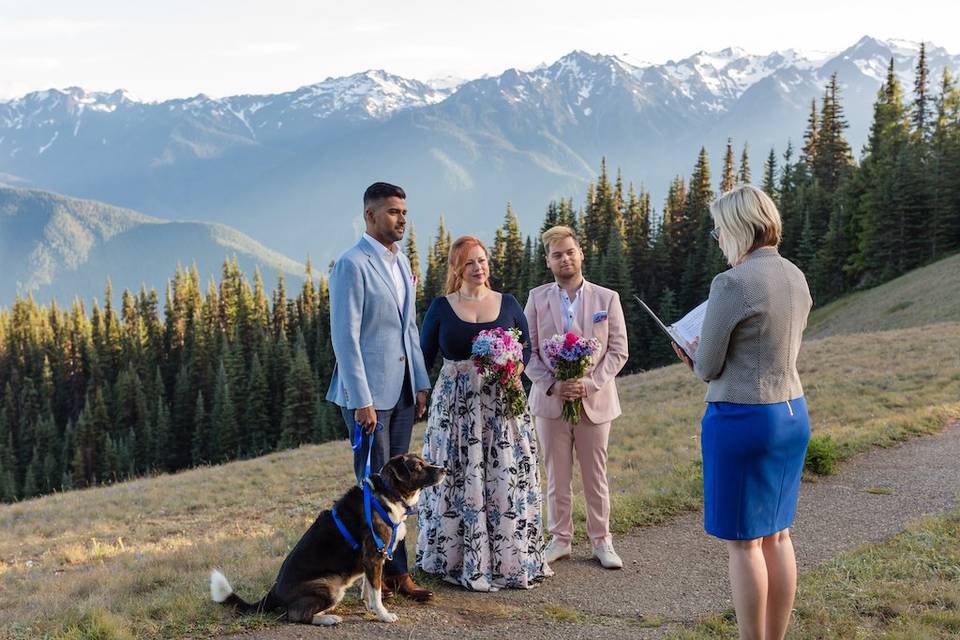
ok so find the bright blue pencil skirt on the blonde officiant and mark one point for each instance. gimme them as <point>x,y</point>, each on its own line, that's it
<point>752,462</point>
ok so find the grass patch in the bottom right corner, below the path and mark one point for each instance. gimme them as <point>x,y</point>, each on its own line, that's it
<point>906,588</point>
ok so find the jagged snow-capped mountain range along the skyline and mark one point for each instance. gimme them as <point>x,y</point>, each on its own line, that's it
<point>269,164</point>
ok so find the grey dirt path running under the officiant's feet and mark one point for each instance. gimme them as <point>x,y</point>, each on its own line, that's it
<point>675,572</point>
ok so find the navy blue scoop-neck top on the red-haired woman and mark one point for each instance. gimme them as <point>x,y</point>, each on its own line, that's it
<point>443,331</point>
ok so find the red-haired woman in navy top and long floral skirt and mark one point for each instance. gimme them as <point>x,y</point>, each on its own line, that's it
<point>481,528</point>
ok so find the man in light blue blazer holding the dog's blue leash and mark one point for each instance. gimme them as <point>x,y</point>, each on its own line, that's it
<point>379,375</point>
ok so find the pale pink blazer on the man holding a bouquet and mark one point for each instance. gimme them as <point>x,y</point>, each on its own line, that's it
<point>599,315</point>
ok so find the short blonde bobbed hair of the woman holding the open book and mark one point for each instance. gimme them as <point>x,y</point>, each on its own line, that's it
<point>748,219</point>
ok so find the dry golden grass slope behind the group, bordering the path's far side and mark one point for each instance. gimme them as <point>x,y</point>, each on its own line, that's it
<point>133,558</point>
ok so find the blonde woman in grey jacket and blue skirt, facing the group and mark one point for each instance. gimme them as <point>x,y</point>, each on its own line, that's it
<point>755,430</point>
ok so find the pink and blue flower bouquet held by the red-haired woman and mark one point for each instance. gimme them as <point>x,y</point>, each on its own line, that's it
<point>497,355</point>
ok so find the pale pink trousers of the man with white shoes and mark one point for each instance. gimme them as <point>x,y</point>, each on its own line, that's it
<point>558,440</point>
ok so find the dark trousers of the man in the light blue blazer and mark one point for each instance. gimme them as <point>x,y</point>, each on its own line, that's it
<point>393,440</point>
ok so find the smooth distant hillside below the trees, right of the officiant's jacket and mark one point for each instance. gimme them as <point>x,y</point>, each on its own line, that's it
<point>921,297</point>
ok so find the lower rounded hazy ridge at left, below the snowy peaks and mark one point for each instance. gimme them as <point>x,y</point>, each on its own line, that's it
<point>59,248</point>
